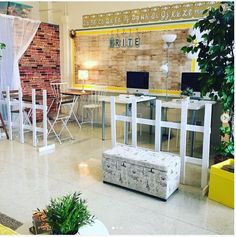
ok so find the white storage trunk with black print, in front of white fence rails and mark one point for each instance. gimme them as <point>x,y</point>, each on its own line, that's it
<point>154,173</point>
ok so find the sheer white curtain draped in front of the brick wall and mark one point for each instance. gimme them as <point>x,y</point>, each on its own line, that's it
<point>17,33</point>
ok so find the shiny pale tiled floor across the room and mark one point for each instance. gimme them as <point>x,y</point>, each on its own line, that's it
<point>28,180</point>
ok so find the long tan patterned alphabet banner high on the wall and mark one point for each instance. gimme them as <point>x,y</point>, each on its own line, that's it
<point>191,10</point>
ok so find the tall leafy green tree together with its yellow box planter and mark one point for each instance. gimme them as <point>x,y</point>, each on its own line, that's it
<point>216,59</point>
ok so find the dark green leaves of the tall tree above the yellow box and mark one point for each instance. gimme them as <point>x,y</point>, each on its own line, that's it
<point>216,59</point>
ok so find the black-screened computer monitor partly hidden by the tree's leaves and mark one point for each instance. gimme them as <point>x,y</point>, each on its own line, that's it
<point>192,80</point>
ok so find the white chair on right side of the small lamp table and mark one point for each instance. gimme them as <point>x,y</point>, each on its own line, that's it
<point>92,106</point>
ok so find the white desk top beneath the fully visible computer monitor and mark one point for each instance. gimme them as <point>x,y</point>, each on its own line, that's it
<point>127,99</point>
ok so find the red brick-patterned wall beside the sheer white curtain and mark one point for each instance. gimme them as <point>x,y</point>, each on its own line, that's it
<point>41,62</point>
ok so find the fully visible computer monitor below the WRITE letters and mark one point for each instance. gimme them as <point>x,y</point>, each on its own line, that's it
<point>137,82</point>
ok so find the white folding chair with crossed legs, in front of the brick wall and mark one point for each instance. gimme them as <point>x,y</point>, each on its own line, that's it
<point>61,114</point>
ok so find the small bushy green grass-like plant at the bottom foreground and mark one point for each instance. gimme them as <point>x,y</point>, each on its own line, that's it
<point>67,214</point>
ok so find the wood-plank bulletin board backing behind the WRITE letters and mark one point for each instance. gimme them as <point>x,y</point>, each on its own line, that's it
<point>111,64</point>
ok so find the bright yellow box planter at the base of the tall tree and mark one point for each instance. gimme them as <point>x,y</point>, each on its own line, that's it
<point>221,188</point>
